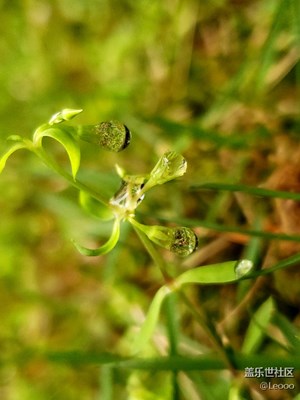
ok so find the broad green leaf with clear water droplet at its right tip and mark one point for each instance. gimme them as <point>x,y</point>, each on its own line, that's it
<point>221,273</point>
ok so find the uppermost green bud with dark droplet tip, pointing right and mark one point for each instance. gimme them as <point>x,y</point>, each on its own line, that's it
<point>111,135</point>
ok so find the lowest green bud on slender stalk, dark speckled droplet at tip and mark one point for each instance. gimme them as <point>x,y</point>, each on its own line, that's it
<point>181,240</point>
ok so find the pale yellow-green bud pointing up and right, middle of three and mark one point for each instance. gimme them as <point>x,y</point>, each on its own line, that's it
<point>170,166</point>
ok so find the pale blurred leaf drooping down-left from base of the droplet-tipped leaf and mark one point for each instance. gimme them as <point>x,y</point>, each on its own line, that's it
<point>148,326</point>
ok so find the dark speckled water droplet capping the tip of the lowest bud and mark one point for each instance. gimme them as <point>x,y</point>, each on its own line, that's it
<point>184,241</point>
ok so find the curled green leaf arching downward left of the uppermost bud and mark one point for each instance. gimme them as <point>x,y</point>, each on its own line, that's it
<point>64,136</point>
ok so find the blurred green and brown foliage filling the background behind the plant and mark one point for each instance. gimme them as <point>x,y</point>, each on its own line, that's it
<point>218,81</point>
